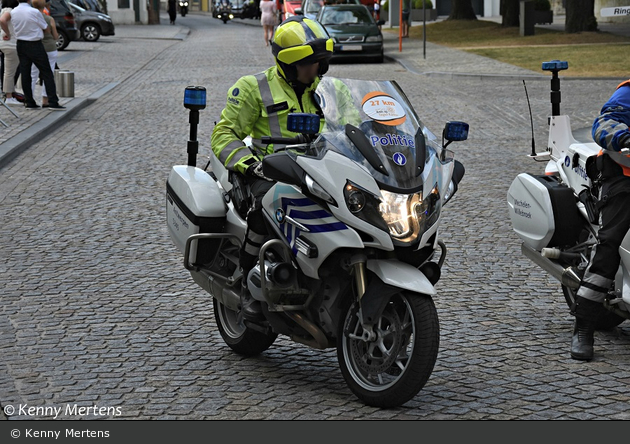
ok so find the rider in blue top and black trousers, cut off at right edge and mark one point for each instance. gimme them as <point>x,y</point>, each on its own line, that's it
<point>611,132</point>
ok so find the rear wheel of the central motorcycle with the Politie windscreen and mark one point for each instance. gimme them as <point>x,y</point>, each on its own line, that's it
<point>236,335</point>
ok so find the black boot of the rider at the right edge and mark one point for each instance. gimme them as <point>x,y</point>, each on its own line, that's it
<point>586,313</point>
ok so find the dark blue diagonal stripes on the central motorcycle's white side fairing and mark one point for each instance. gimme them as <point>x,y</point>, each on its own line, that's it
<point>310,215</point>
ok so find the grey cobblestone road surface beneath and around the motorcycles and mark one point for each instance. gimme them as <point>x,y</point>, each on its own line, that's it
<point>97,309</point>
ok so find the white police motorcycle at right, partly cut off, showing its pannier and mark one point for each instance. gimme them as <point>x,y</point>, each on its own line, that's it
<point>555,214</point>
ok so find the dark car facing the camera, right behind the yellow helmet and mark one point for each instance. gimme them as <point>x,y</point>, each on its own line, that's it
<point>354,31</point>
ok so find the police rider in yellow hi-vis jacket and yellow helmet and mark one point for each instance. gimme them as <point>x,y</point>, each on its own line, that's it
<point>258,105</point>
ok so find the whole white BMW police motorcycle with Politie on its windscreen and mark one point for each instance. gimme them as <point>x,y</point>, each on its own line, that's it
<point>351,259</point>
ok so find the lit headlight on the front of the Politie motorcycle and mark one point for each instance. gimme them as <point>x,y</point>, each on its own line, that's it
<point>408,215</point>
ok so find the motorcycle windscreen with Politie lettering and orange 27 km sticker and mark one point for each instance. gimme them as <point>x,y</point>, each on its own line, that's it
<point>373,123</point>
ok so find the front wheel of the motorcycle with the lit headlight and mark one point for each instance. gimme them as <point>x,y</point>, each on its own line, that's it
<point>391,369</point>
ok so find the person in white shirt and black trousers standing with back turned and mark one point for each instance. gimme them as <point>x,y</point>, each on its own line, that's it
<point>29,26</point>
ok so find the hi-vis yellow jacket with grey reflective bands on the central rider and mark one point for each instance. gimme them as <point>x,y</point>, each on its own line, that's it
<point>257,105</point>
